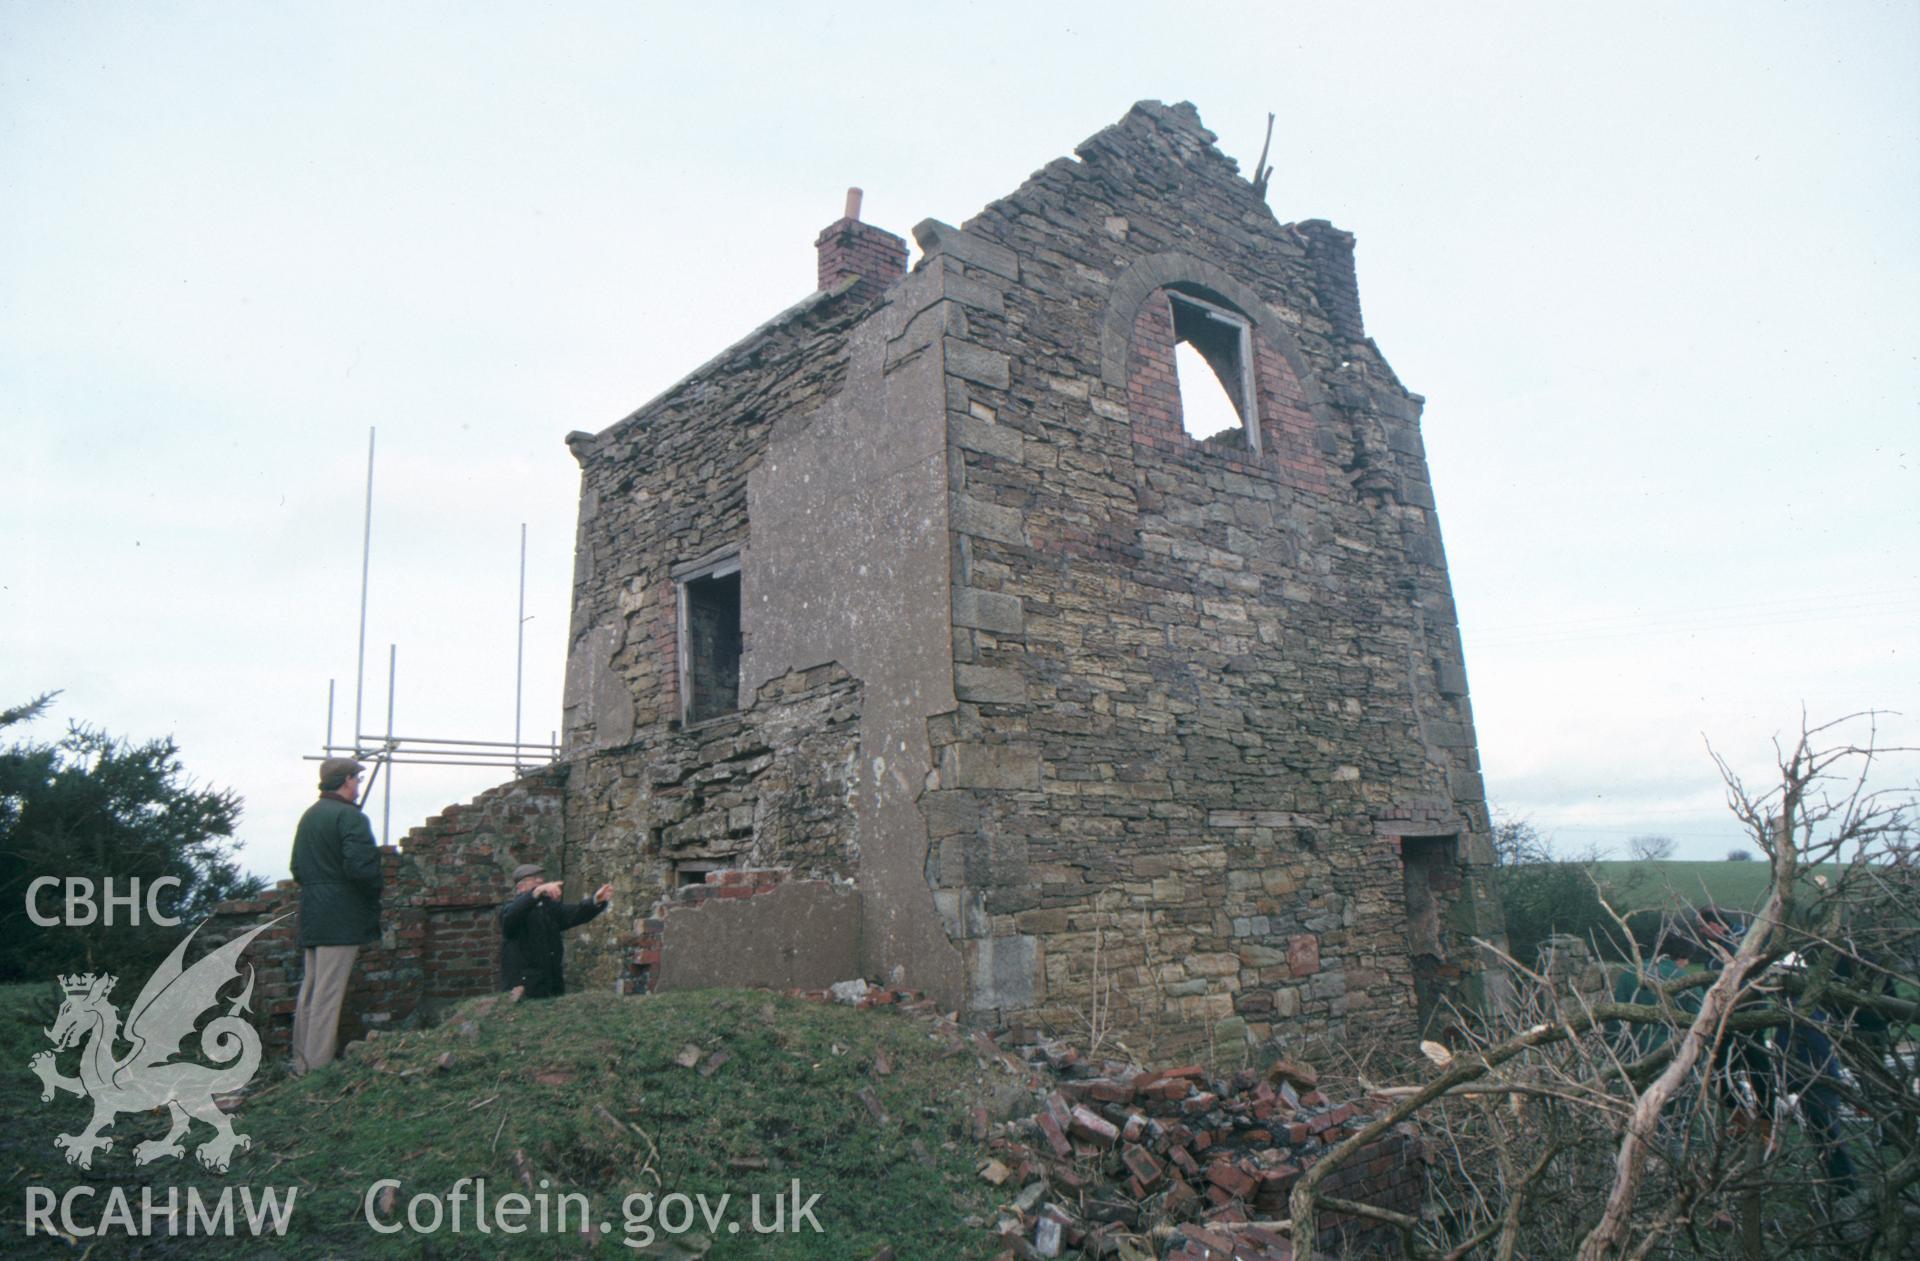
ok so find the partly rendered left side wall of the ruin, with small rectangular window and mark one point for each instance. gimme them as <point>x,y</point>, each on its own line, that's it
<point>811,458</point>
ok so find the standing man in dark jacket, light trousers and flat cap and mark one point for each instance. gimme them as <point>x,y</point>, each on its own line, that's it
<point>339,870</point>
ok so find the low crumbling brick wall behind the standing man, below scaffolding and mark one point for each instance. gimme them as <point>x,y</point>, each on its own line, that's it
<point>439,936</point>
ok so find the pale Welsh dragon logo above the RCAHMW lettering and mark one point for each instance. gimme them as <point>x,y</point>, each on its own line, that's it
<point>149,1076</point>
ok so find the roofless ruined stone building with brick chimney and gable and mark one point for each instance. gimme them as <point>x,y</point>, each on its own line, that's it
<point>924,632</point>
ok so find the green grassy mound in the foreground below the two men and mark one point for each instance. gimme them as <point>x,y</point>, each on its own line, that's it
<point>583,1093</point>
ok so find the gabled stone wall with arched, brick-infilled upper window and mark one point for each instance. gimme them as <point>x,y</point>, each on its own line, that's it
<point>1205,690</point>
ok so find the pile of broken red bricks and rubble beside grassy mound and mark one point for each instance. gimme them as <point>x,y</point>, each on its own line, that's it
<point>1176,1166</point>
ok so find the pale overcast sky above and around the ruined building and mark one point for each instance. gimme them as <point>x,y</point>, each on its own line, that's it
<point>1654,268</point>
